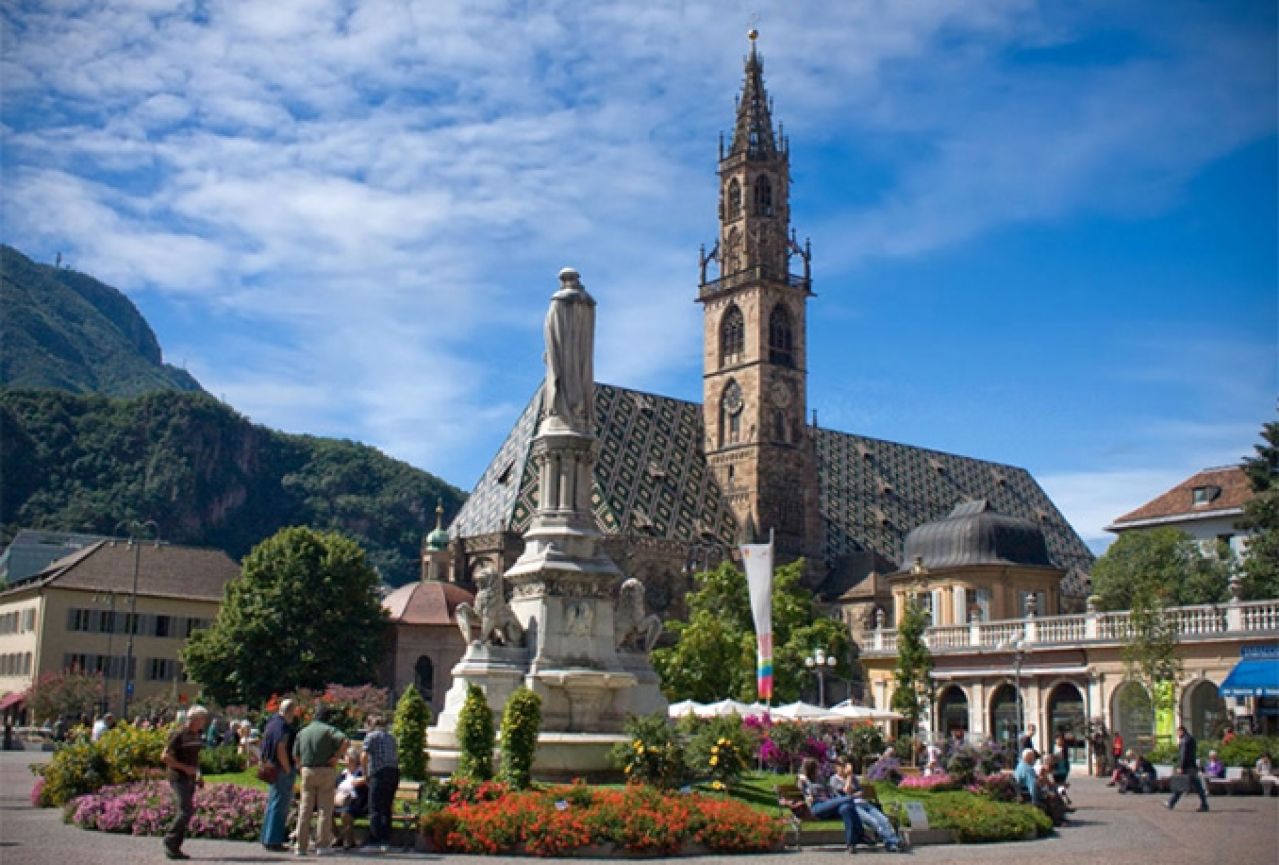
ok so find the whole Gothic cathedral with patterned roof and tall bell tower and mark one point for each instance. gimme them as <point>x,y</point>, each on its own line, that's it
<point>679,484</point>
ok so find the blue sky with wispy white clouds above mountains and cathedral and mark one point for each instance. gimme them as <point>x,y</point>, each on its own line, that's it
<point>1044,234</point>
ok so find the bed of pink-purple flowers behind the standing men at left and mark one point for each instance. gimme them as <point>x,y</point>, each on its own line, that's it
<point>146,808</point>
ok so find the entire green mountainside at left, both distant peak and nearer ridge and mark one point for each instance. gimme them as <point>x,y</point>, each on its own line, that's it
<point>97,429</point>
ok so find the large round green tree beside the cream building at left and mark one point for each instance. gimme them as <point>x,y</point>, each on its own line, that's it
<point>304,612</point>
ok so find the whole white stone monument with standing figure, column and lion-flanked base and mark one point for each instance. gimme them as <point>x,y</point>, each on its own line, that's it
<point>575,630</point>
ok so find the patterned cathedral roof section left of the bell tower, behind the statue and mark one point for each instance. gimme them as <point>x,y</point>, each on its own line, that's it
<point>652,478</point>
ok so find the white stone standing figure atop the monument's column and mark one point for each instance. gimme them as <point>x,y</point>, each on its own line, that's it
<point>570,399</point>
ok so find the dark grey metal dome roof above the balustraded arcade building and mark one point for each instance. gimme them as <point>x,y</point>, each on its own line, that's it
<point>975,534</point>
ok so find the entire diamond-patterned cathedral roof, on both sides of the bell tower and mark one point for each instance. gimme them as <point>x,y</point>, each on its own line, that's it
<point>653,479</point>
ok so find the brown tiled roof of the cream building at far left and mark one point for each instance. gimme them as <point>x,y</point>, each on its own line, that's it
<point>164,570</point>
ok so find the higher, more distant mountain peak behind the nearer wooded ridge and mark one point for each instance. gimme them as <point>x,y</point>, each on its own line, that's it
<point>68,332</point>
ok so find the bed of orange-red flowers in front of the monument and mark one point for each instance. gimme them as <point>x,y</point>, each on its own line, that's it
<point>639,821</point>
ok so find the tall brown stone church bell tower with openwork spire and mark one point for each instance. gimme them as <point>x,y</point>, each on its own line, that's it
<point>755,327</point>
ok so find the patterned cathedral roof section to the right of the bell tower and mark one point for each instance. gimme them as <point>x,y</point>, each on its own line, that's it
<point>875,492</point>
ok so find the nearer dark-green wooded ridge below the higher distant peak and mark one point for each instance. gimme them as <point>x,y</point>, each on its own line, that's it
<point>205,474</point>
